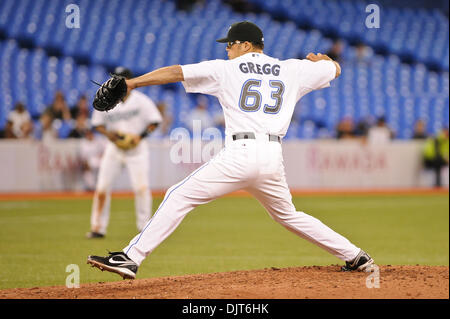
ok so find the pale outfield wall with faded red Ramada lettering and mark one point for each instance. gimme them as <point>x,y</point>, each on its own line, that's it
<point>29,166</point>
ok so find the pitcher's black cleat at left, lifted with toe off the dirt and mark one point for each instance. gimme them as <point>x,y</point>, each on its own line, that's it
<point>117,262</point>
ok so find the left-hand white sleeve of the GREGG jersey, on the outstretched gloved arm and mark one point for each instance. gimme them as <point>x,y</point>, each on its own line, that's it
<point>204,77</point>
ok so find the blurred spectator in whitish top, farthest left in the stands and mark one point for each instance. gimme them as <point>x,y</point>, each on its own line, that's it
<point>19,124</point>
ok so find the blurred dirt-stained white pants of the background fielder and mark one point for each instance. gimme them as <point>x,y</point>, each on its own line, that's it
<point>137,163</point>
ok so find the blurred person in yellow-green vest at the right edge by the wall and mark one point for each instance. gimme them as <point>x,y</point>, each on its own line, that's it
<point>436,154</point>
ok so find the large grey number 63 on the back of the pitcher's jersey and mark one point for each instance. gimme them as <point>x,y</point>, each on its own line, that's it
<point>249,90</point>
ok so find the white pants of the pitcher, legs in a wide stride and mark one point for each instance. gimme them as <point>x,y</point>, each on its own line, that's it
<point>255,165</point>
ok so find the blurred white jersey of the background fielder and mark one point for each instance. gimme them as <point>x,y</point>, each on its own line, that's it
<point>132,116</point>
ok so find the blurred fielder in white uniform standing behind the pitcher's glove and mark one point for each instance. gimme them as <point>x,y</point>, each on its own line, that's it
<point>125,127</point>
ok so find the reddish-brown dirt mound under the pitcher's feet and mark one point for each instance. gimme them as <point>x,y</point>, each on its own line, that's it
<point>316,282</point>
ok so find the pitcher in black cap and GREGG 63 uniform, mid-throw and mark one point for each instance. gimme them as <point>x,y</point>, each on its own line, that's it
<point>258,94</point>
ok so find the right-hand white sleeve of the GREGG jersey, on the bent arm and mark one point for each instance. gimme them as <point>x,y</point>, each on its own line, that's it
<point>316,75</point>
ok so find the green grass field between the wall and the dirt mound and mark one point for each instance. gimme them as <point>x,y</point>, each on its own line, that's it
<point>40,238</point>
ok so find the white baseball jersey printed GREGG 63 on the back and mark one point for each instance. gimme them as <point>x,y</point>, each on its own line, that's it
<point>258,93</point>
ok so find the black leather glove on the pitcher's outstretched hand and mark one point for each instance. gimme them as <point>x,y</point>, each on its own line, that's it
<point>110,93</point>
